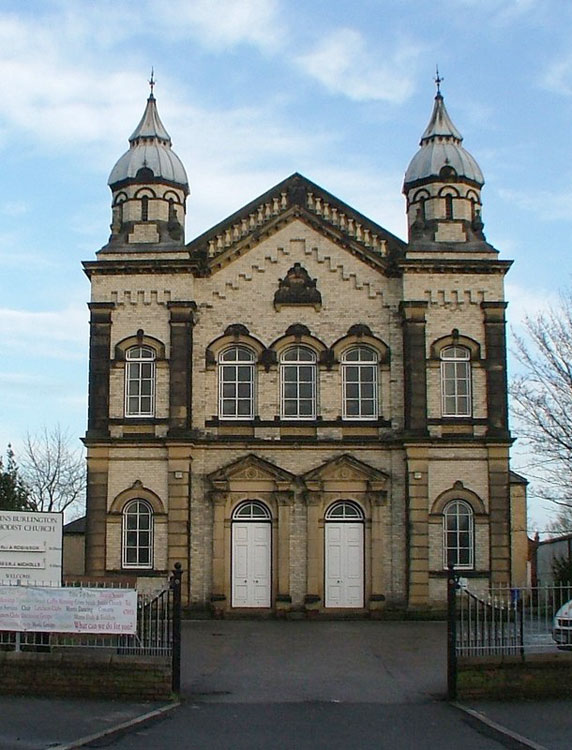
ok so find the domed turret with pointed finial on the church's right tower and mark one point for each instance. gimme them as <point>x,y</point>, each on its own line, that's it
<point>443,184</point>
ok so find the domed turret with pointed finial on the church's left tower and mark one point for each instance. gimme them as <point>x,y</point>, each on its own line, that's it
<point>149,186</point>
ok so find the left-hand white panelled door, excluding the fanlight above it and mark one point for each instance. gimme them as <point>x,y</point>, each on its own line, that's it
<point>251,567</point>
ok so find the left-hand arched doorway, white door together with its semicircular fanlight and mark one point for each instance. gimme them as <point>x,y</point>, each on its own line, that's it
<point>251,555</point>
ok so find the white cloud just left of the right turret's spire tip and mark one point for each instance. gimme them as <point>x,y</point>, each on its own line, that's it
<point>342,62</point>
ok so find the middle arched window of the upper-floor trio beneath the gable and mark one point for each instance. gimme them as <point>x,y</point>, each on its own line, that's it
<point>298,383</point>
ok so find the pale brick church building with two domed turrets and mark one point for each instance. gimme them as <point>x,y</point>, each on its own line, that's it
<point>304,410</point>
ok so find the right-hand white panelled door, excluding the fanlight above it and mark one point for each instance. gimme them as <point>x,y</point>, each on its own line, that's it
<point>344,564</point>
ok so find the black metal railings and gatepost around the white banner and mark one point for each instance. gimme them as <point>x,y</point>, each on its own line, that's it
<point>158,628</point>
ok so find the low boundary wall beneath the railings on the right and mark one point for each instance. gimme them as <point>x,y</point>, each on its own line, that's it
<point>540,676</point>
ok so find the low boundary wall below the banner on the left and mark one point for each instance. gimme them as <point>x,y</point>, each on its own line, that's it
<point>92,675</point>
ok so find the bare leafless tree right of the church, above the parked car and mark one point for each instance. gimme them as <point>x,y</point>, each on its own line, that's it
<point>542,398</point>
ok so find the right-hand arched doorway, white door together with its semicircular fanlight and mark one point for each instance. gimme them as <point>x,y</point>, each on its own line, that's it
<point>344,555</point>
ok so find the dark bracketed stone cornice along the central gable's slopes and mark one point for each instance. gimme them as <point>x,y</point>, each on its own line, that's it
<point>296,198</point>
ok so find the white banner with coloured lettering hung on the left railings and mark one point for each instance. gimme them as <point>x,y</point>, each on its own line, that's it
<point>68,610</point>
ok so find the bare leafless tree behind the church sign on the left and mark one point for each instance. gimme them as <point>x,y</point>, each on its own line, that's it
<point>54,471</point>
